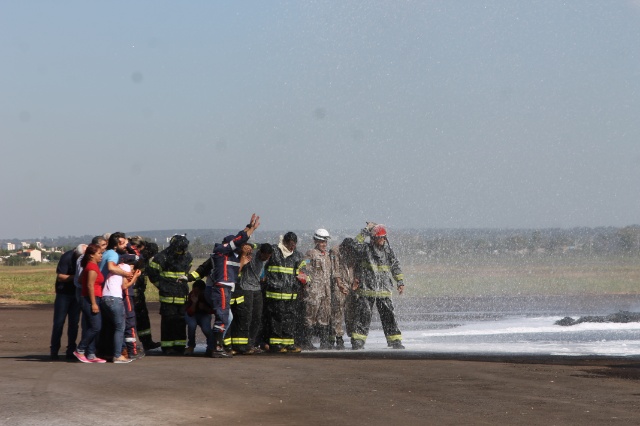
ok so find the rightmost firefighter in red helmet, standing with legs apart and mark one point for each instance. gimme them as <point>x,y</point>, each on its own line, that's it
<point>376,269</point>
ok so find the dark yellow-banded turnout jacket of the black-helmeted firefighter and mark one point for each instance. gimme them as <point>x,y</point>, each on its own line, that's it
<point>164,270</point>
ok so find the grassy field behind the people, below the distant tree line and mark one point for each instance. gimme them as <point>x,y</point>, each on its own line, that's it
<point>448,277</point>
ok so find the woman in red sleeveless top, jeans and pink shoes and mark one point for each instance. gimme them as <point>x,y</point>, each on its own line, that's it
<point>92,281</point>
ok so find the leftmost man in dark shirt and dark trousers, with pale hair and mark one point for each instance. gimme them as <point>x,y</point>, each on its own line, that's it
<point>66,304</point>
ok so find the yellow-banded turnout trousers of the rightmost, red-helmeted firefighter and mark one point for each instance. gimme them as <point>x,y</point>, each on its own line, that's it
<point>363,309</point>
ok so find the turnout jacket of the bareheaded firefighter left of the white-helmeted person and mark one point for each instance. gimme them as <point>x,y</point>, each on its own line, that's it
<point>281,274</point>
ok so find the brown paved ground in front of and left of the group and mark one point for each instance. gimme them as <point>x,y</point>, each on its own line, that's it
<point>398,387</point>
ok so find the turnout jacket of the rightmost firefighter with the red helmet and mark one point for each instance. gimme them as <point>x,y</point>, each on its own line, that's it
<point>376,269</point>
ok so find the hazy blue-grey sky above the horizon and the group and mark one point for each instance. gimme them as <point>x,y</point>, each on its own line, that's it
<point>152,115</point>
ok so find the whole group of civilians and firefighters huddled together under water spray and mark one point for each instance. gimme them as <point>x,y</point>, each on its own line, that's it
<point>246,298</point>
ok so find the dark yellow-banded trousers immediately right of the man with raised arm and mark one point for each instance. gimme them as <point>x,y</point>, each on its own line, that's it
<point>247,319</point>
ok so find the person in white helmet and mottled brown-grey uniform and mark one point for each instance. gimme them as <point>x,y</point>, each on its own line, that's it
<point>317,293</point>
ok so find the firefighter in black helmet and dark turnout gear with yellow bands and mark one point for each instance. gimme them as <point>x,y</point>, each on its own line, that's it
<point>167,271</point>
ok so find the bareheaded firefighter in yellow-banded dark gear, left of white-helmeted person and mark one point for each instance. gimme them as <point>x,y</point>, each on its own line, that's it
<point>284,277</point>
